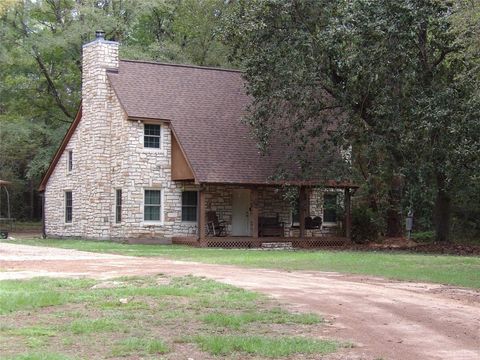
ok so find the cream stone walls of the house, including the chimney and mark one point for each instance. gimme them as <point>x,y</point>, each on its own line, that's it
<point>108,154</point>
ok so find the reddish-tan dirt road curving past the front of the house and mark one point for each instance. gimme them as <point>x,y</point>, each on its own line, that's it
<point>384,319</point>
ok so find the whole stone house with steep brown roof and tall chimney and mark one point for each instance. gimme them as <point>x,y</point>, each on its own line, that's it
<point>156,149</point>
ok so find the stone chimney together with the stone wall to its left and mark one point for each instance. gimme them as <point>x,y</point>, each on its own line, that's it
<point>90,177</point>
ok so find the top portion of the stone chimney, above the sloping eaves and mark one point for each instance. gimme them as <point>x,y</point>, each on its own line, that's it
<point>98,56</point>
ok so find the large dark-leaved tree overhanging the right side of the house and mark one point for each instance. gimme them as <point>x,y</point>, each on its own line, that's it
<point>392,67</point>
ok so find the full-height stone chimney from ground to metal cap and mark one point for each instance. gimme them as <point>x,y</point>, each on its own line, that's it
<point>93,157</point>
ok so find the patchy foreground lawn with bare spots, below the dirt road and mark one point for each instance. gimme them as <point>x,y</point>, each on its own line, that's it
<point>153,317</point>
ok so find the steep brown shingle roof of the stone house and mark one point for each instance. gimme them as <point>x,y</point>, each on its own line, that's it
<point>205,107</point>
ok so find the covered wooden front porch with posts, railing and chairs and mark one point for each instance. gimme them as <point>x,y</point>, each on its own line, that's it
<point>259,216</point>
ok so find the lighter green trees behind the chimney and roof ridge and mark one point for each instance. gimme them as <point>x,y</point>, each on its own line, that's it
<point>40,67</point>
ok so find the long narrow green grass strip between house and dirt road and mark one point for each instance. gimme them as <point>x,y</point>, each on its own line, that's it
<point>444,269</point>
